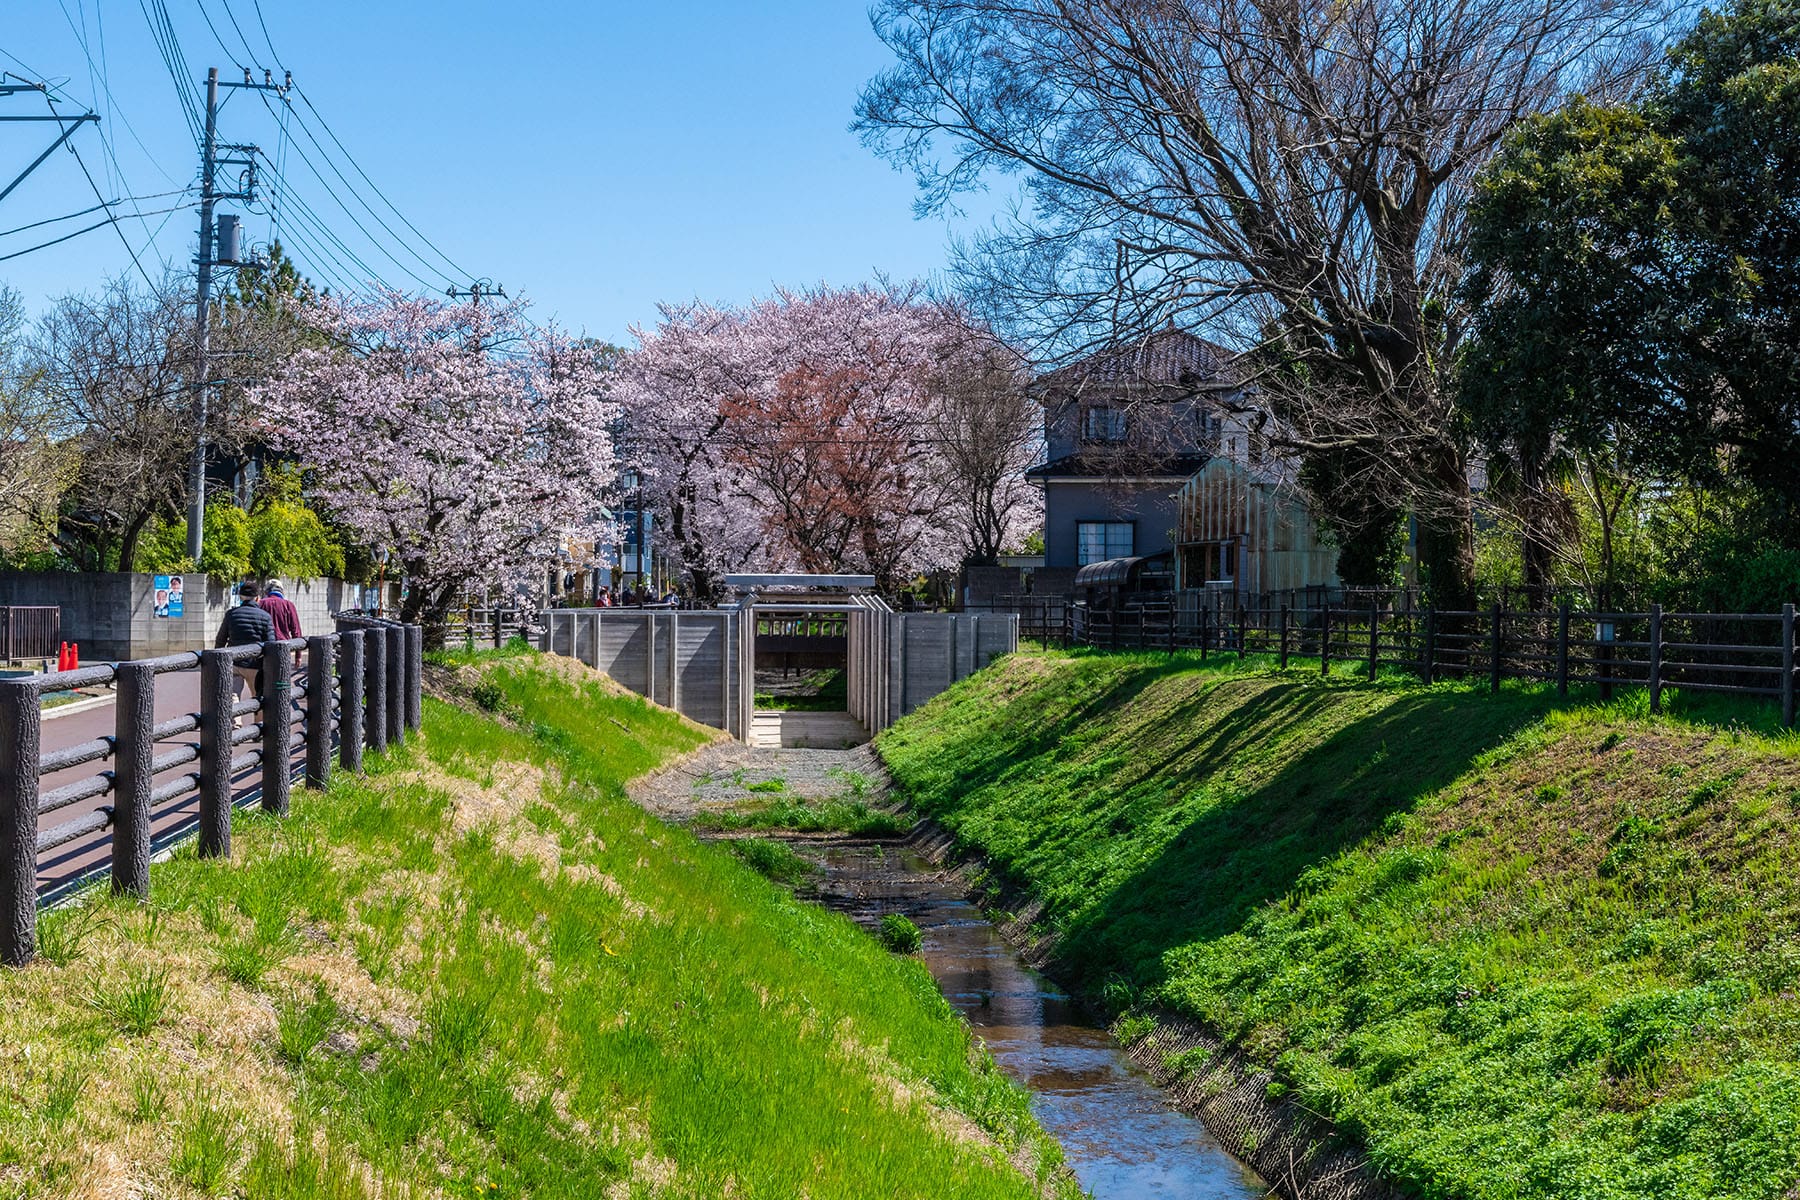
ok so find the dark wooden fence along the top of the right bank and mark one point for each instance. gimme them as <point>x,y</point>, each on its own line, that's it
<point>1738,654</point>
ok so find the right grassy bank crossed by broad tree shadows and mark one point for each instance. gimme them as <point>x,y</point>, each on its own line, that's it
<point>1511,947</point>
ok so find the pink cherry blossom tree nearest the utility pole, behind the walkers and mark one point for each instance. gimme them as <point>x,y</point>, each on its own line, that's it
<point>465,442</point>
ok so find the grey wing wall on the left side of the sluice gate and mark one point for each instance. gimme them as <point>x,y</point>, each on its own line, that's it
<point>687,661</point>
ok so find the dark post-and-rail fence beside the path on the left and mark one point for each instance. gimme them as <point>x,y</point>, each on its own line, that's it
<point>359,688</point>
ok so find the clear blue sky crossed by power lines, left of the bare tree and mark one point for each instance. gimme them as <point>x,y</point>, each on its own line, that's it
<point>598,157</point>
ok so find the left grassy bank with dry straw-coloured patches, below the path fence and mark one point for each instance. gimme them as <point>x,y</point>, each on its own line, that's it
<point>481,972</point>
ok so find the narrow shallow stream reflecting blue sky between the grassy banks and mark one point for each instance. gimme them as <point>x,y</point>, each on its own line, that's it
<point>1119,1133</point>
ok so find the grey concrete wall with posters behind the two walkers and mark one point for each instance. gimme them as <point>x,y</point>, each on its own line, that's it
<point>109,614</point>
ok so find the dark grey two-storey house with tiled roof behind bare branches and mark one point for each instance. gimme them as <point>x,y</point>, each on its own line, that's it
<point>1124,431</point>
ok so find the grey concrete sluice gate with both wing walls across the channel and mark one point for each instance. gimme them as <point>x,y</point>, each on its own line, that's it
<point>703,661</point>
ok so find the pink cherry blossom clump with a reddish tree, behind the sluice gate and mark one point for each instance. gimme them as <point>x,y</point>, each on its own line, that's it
<point>814,429</point>
